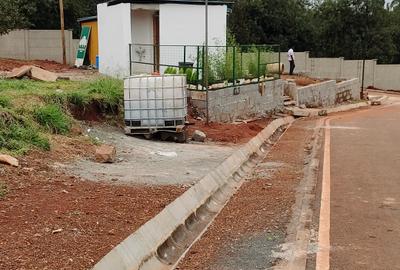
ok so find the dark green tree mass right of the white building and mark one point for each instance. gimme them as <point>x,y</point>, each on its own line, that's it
<point>353,29</point>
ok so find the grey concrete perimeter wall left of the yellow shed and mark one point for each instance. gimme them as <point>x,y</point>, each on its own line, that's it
<point>38,45</point>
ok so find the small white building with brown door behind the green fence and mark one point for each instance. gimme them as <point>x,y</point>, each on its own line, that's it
<point>150,22</point>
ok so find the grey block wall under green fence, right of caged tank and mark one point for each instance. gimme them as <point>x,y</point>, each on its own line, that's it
<point>241,102</point>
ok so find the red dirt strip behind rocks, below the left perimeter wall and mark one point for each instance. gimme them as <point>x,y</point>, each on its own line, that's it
<point>10,64</point>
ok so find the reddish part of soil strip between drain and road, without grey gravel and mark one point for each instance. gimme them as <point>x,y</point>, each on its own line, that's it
<point>261,203</point>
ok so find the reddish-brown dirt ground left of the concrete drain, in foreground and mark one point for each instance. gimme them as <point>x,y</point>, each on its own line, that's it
<point>94,217</point>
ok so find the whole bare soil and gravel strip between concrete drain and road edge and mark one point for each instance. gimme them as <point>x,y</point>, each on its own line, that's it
<point>260,210</point>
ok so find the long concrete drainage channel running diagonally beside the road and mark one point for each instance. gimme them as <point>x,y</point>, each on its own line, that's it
<point>164,240</point>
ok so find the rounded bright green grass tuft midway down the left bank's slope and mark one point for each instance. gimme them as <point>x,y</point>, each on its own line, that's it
<point>53,119</point>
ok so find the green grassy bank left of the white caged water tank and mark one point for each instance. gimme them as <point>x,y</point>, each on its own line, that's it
<point>31,109</point>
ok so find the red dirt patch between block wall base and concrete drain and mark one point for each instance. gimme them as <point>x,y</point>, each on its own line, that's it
<point>229,133</point>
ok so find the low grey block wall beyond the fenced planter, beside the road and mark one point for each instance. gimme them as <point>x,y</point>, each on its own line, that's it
<point>326,94</point>
